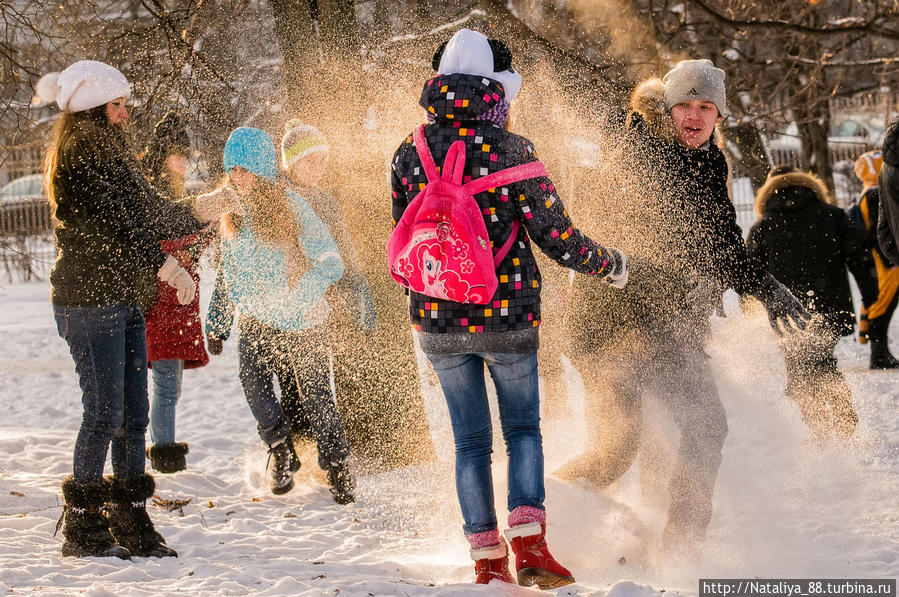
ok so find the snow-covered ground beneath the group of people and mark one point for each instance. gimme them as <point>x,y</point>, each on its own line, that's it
<point>785,506</point>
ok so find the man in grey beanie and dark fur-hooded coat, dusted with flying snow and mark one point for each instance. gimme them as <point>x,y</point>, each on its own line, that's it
<point>649,339</point>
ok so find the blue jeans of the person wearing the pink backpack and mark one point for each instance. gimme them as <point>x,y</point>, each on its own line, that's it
<point>515,377</point>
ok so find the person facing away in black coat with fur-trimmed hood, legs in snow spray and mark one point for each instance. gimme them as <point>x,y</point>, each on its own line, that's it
<point>807,243</point>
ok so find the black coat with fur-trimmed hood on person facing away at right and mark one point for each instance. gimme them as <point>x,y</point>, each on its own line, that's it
<point>807,243</point>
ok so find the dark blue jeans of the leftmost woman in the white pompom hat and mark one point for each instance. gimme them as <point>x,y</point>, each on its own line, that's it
<point>109,347</point>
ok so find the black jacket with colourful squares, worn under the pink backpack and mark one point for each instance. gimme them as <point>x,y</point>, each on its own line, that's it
<point>509,322</point>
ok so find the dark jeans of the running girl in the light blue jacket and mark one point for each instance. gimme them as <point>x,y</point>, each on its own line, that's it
<point>264,351</point>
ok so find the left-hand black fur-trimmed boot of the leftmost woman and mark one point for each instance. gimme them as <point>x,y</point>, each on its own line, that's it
<point>84,527</point>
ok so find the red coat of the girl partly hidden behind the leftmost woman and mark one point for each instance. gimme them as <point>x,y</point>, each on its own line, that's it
<point>174,331</point>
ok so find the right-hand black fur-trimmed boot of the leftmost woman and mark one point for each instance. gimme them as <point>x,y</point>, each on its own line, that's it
<point>128,519</point>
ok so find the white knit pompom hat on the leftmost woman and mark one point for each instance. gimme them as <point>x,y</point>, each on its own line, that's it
<point>83,85</point>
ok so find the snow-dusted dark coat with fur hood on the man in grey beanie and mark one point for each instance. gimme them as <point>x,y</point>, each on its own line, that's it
<point>681,234</point>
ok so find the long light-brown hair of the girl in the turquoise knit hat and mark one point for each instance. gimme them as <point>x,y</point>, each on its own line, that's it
<point>274,223</point>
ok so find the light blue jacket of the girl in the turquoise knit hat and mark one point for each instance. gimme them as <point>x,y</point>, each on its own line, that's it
<point>254,277</point>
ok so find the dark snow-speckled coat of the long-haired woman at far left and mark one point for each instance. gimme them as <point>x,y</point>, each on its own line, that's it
<point>111,222</point>
